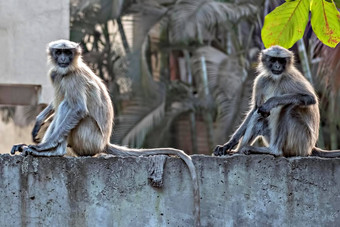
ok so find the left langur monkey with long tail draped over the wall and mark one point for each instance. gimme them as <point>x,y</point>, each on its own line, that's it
<point>83,115</point>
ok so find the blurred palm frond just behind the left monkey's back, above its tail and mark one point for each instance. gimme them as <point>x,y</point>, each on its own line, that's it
<point>145,110</point>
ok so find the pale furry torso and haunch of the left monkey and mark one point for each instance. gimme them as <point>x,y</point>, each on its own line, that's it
<point>85,89</point>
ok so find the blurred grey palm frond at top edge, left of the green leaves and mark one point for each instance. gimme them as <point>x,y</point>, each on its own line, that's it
<point>189,18</point>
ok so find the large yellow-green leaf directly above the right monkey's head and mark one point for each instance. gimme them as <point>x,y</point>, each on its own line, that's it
<point>285,24</point>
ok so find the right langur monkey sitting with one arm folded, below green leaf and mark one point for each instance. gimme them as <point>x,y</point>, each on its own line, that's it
<point>284,111</point>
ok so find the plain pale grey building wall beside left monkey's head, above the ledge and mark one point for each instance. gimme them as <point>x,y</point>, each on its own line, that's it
<point>25,29</point>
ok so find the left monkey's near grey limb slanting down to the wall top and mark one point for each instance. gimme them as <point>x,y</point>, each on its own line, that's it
<point>67,119</point>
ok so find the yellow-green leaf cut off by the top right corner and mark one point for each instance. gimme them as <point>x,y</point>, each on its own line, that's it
<point>325,22</point>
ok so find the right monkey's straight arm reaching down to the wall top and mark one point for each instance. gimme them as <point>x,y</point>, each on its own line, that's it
<point>222,150</point>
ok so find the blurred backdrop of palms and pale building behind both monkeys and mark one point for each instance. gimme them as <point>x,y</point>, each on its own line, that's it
<point>179,73</point>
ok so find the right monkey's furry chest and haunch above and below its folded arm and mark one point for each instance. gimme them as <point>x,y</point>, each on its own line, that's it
<point>298,124</point>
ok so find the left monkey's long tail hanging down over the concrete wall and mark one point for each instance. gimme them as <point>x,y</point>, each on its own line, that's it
<point>124,151</point>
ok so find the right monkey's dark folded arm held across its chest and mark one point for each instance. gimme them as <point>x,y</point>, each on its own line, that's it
<point>302,99</point>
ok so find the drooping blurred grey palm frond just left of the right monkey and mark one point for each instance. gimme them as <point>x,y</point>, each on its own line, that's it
<point>226,84</point>
